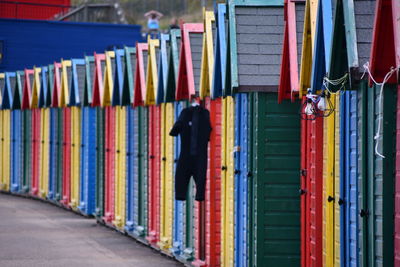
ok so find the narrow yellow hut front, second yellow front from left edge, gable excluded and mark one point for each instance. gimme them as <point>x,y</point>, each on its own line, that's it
<point>44,152</point>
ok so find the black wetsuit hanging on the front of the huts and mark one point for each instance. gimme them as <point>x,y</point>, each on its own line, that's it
<point>194,128</point>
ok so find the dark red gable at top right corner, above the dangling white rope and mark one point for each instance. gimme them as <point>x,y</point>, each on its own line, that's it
<point>383,47</point>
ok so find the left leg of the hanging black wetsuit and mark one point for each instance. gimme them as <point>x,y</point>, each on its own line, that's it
<point>182,177</point>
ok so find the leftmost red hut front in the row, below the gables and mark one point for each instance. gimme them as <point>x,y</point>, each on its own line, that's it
<point>35,151</point>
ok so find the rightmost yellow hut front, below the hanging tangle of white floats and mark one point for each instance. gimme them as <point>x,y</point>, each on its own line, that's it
<point>329,187</point>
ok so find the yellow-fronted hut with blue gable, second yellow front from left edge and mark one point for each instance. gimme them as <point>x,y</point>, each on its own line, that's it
<point>44,140</point>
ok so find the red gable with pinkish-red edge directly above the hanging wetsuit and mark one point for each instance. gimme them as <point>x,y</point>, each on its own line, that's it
<point>185,87</point>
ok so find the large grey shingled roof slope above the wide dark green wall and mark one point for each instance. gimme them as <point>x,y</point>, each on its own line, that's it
<point>259,35</point>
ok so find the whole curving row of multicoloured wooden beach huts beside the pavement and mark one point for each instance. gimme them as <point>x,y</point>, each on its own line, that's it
<point>303,164</point>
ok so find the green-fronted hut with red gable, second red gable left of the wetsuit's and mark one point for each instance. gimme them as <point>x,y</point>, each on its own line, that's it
<point>94,101</point>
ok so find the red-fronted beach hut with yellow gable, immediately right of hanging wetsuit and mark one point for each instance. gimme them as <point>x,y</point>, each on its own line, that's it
<point>208,219</point>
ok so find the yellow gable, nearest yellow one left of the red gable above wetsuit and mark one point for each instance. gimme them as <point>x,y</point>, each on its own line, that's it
<point>152,76</point>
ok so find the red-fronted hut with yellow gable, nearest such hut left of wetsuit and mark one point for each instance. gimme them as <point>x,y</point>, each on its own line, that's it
<point>154,143</point>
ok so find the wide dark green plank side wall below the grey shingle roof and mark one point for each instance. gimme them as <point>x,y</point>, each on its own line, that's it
<point>274,194</point>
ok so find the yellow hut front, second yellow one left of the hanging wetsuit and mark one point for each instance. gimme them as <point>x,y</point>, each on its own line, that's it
<point>120,167</point>
